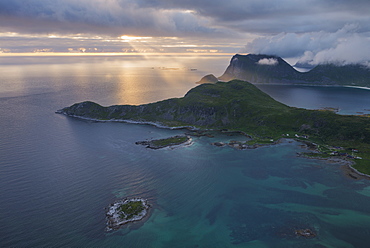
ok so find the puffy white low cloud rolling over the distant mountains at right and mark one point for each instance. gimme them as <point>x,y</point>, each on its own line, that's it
<point>343,46</point>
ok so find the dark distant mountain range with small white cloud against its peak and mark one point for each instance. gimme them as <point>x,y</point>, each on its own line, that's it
<point>272,69</point>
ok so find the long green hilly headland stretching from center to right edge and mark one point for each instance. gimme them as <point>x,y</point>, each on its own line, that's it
<point>240,106</point>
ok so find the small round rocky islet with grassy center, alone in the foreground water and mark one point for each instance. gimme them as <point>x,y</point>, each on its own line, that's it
<point>125,211</point>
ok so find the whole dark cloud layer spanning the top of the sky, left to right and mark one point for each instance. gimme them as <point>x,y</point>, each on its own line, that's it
<point>167,17</point>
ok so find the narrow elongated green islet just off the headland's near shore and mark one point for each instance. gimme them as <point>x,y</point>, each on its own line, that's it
<point>168,142</point>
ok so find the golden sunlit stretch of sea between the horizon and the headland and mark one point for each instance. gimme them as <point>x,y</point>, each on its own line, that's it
<point>127,79</point>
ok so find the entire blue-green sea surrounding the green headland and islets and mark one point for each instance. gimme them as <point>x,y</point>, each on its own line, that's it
<point>59,174</point>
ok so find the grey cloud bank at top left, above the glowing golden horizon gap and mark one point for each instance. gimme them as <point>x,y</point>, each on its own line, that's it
<point>109,17</point>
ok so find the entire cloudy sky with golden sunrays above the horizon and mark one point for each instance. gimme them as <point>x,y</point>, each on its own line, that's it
<point>311,31</point>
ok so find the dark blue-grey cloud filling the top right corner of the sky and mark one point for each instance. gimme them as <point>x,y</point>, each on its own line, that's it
<point>271,16</point>
